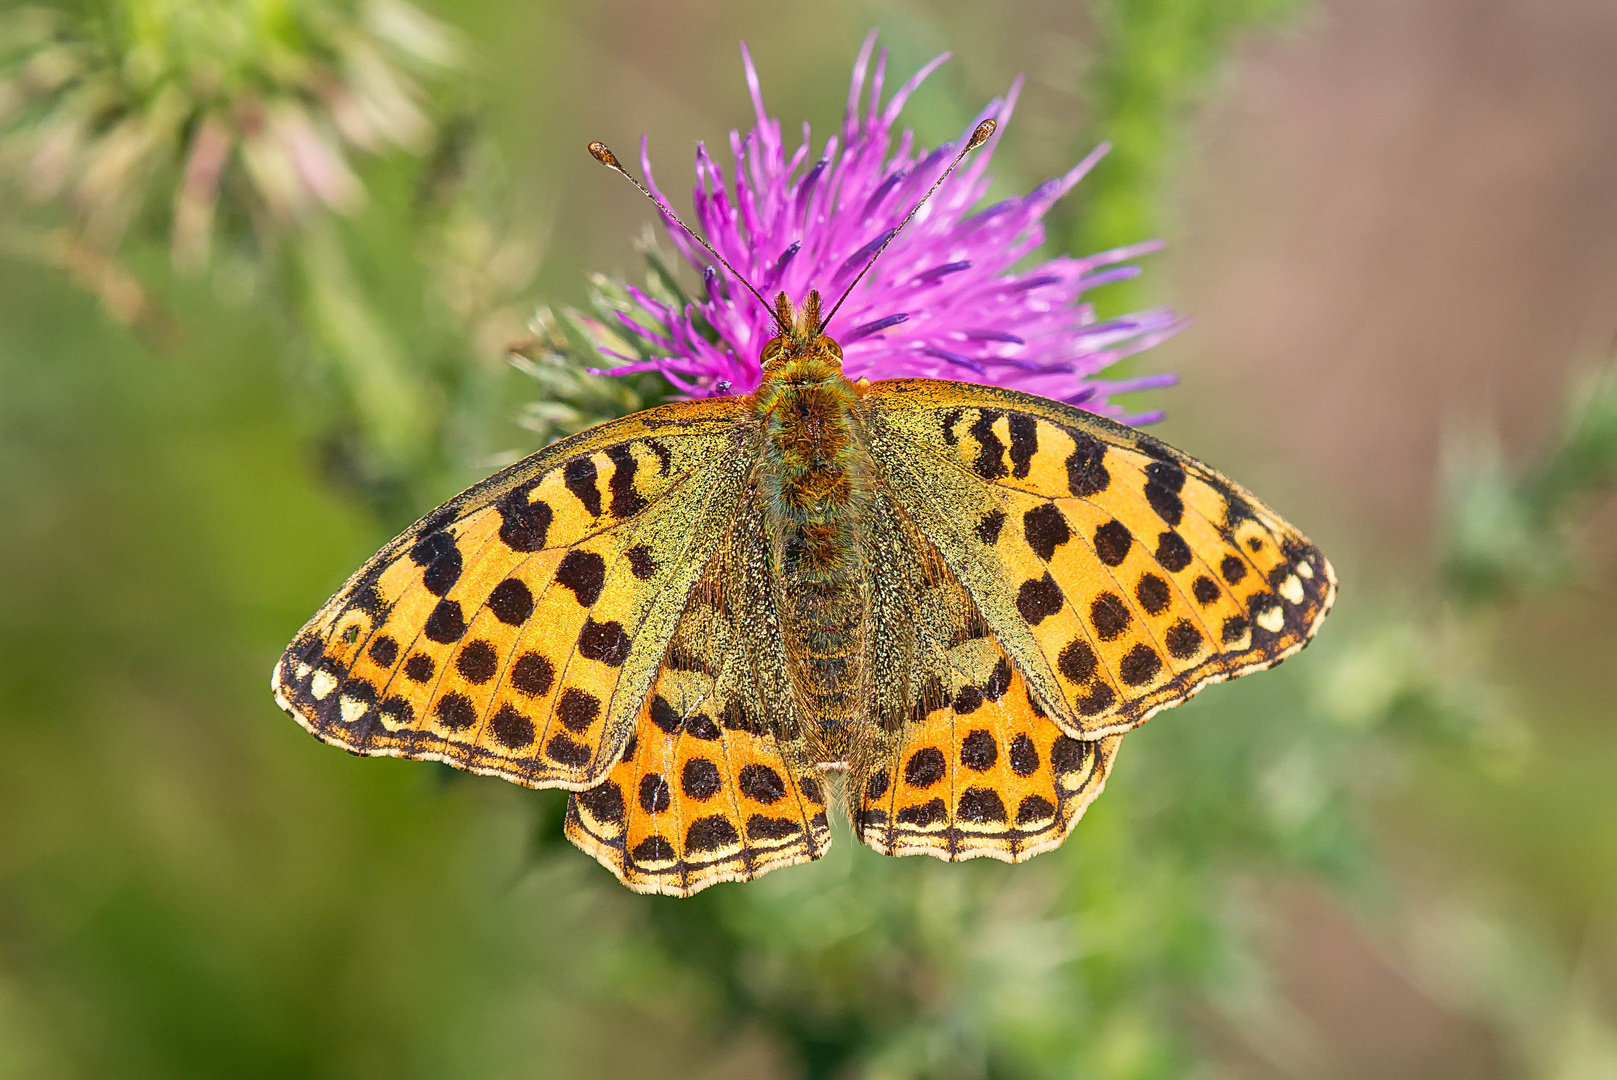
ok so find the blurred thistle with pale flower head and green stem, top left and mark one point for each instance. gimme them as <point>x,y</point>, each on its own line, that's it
<point>290,150</point>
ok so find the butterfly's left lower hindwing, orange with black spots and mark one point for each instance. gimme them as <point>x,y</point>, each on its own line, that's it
<point>709,788</point>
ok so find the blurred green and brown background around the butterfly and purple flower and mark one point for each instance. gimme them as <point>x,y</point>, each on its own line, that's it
<point>1396,227</point>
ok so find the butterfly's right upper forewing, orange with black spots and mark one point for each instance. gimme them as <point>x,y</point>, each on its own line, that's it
<point>1118,575</point>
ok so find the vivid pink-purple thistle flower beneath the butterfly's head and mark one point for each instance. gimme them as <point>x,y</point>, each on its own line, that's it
<point>945,300</point>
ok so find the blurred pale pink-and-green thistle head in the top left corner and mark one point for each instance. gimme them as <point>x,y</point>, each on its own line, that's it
<point>209,119</point>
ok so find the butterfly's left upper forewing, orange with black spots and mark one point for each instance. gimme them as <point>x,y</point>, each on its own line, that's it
<point>517,630</point>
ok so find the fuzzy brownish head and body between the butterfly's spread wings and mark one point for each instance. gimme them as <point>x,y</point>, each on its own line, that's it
<point>816,476</point>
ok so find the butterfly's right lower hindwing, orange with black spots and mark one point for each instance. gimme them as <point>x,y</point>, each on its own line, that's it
<point>963,759</point>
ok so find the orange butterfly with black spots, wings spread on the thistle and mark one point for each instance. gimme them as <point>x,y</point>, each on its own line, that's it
<point>952,599</point>
